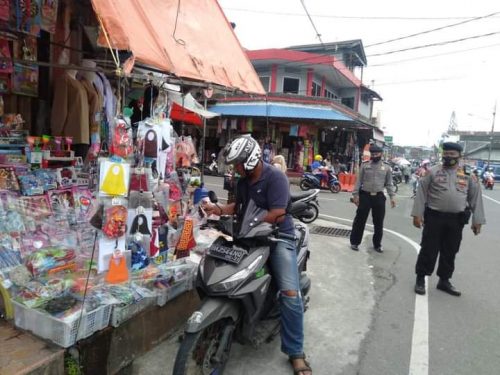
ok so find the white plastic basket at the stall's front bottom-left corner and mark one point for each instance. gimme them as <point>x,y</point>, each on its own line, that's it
<point>63,332</point>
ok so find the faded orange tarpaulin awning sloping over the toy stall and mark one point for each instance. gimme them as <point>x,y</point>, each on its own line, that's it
<point>190,39</point>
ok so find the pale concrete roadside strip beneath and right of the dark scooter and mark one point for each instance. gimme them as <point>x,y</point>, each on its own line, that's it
<point>338,319</point>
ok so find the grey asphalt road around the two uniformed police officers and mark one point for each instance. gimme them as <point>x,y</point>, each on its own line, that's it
<point>463,333</point>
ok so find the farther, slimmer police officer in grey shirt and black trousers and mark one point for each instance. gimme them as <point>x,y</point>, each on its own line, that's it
<point>368,194</point>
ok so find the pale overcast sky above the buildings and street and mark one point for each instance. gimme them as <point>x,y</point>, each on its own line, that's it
<point>419,94</point>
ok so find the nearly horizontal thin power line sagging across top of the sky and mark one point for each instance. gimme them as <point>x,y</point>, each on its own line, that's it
<point>375,18</point>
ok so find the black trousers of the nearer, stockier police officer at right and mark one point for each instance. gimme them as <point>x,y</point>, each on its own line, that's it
<point>442,235</point>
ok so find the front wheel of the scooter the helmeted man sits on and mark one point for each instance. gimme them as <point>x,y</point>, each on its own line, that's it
<point>196,355</point>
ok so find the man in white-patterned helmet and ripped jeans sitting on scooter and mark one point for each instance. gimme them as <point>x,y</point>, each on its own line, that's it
<point>269,188</point>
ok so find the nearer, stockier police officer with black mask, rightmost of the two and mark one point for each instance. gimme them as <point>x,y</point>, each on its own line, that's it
<point>446,197</point>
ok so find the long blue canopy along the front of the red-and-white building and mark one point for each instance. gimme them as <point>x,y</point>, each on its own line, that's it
<point>279,111</point>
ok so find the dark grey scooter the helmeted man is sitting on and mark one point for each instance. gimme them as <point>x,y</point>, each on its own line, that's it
<point>239,297</point>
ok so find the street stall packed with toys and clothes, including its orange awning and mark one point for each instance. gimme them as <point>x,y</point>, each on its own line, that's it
<point>99,219</point>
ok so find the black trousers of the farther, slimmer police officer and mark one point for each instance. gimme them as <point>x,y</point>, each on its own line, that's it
<point>367,202</point>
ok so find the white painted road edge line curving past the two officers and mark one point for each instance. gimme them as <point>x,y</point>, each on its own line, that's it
<point>419,357</point>
